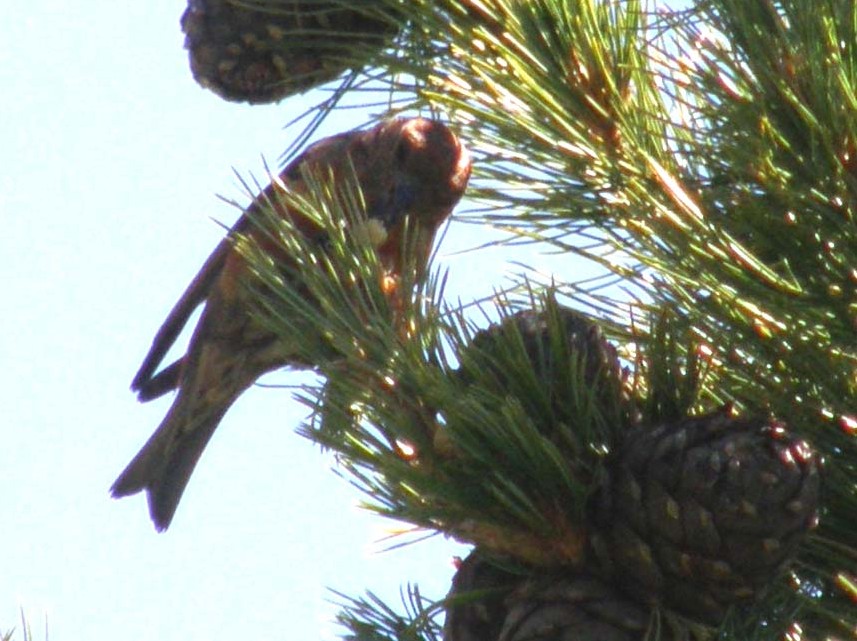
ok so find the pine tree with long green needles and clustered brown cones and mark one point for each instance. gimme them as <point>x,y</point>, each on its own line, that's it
<point>706,159</point>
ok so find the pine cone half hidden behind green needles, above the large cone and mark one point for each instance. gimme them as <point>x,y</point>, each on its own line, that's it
<point>568,354</point>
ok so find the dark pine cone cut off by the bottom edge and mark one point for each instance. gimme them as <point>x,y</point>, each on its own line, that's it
<point>488,603</point>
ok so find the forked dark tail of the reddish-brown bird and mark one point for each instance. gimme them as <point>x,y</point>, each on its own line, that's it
<point>165,463</point>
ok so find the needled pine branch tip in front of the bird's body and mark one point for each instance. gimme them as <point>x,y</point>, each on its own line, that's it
<point>393,406</point>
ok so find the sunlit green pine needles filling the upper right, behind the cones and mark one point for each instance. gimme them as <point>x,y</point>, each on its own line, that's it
<point>735,188</point>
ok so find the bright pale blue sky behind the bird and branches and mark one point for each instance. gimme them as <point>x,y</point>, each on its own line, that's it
<point>111,158</point>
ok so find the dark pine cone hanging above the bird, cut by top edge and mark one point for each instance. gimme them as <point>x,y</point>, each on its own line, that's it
<point>244,52</point>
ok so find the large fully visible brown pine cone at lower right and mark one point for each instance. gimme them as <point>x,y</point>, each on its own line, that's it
<point>704,513</point>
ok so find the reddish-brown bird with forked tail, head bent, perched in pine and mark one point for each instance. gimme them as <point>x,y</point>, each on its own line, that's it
<point>408,169</point>
